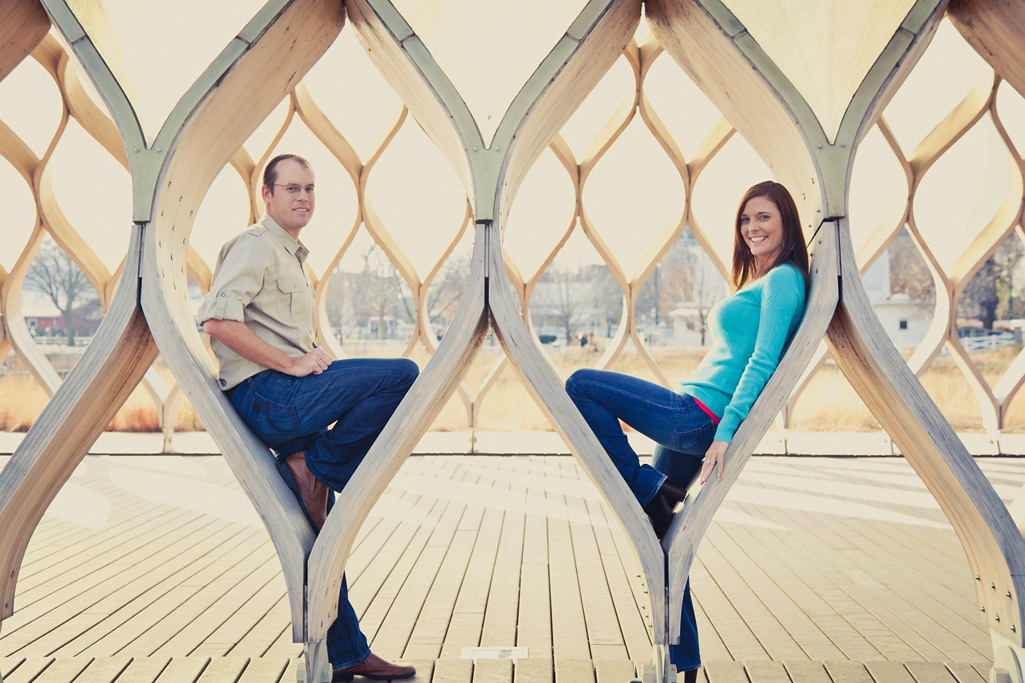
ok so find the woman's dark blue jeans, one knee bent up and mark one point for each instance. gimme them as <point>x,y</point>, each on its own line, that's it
<point>683,431</point>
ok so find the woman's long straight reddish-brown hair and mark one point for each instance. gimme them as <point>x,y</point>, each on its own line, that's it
<point>793,249</point>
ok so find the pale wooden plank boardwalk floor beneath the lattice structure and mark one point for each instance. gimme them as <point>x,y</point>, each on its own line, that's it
<point>157,569</point>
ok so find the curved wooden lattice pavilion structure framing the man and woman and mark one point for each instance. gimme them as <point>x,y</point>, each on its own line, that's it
<point>804,111</point>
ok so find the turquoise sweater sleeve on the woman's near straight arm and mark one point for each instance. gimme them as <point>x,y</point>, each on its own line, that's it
<point>783,300</point>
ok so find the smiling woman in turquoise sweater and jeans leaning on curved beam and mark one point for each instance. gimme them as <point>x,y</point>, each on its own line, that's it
<point>693,427</point>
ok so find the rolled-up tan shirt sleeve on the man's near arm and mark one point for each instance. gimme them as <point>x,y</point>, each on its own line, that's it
<point>237,282</point>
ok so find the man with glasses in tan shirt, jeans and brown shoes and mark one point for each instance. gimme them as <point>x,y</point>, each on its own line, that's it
<point>261,313</point>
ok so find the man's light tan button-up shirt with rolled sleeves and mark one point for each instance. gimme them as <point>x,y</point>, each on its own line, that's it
<point>260,282</point>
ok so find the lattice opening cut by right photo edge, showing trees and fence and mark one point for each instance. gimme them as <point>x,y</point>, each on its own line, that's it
<point>991,310</point>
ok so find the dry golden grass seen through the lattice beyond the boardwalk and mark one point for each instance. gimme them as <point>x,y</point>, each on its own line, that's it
<point>829,405</point>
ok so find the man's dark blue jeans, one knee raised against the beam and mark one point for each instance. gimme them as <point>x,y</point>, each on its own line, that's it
<point>293,415</point>
